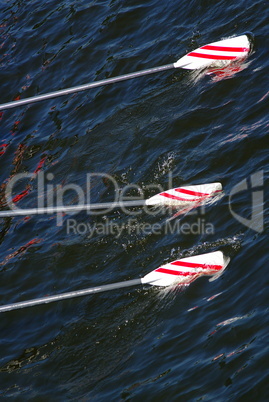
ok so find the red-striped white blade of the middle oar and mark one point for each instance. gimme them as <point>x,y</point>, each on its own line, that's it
<point>189,195</point>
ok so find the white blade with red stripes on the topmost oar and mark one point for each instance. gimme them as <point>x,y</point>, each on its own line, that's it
<point>216,54</point>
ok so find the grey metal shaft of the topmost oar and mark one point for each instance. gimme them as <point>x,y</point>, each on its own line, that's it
<point>80,88</point>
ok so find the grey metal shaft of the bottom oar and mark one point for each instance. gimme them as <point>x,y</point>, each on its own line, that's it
<point>70,295</point>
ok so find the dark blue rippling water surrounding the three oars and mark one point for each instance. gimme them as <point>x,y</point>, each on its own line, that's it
<point>208,342</point>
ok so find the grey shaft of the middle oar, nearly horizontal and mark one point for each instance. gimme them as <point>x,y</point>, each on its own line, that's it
<point>71,208</point>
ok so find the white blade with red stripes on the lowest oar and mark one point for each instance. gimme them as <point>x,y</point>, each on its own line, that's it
<point>188,269</point>
